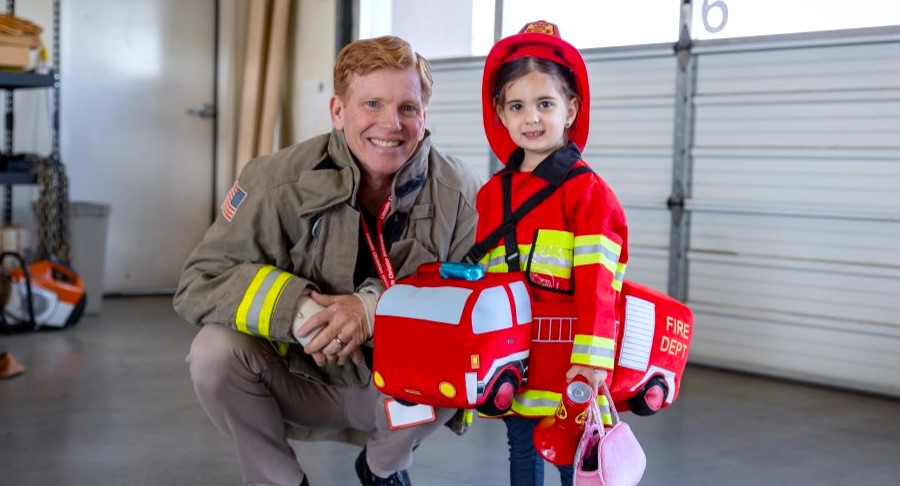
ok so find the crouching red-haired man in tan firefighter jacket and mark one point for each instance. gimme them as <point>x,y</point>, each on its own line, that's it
<point>307,240</point>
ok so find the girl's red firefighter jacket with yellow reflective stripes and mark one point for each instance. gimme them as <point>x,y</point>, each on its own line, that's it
<point>573,250</point>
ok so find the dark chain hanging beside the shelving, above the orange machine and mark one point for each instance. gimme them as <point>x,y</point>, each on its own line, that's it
<point>51,210</point>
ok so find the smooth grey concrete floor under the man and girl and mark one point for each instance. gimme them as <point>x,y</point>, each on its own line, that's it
<point>109,402</point>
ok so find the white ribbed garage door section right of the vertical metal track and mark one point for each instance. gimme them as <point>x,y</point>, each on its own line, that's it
<point>794,262</point>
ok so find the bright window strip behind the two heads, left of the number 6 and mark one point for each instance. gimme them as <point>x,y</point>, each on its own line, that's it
<point>440,29</point>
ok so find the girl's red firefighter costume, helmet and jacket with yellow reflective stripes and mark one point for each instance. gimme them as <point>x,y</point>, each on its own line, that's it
<point>572,246</point>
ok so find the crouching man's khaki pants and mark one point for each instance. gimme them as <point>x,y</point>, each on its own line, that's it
<point>250,395</point>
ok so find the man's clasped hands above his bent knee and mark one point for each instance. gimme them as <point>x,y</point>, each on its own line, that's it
<point>344,329</point>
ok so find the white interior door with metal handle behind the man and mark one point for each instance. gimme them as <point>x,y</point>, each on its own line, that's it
<point>130,72</point>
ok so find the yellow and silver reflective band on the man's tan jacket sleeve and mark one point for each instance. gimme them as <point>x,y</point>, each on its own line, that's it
<point>255,311</point>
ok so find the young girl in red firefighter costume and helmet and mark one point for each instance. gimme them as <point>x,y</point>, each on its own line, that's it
<point>572,245</point>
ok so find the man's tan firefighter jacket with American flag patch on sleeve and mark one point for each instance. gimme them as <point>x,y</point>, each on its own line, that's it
<point>290,225</point>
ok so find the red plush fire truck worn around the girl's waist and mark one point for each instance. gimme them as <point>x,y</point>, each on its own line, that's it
<point>452,336</point>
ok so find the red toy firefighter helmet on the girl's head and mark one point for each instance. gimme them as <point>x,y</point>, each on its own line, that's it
<point>539,39</point>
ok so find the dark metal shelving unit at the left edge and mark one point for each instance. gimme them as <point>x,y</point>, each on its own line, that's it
<point>12,81</point>
